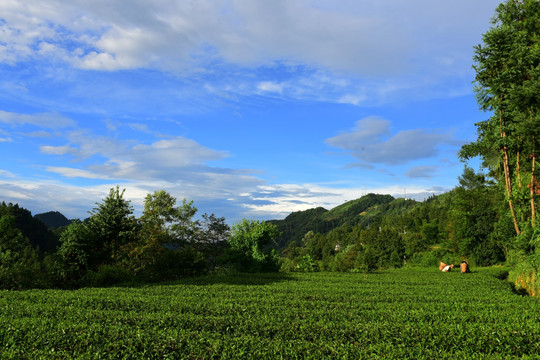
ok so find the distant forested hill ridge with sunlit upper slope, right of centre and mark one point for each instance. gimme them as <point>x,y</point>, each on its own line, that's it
<point>319,220</point>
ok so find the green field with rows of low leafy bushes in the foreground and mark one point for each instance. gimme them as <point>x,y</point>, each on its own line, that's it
<point>407,313</point>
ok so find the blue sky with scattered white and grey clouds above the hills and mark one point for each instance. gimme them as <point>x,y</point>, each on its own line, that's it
<point>250,108</point>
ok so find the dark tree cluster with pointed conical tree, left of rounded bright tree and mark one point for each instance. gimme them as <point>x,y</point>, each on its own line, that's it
<point>114,247</point>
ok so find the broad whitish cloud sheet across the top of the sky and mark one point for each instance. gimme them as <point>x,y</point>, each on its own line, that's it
<point>365,39</point>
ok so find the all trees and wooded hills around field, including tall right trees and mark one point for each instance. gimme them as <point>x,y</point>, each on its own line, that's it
<point>489,218</point>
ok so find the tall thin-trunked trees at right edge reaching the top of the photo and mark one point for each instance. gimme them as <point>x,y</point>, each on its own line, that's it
<point>507,80</point>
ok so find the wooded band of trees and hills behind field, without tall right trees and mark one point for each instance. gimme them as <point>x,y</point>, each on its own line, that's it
<point>471,223</point>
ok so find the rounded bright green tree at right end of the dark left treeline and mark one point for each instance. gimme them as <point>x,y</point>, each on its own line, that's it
<point>250,249</point>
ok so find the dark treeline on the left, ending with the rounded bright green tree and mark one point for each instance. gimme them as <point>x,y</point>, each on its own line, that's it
<point>113,246</point>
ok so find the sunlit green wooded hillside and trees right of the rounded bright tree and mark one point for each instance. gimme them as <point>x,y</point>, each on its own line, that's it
<point>377,231</point>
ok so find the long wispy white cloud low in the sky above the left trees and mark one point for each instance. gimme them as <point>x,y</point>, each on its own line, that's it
<point>176,160</point>
